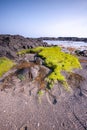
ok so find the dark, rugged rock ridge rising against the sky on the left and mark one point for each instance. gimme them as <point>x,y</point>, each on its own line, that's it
<point>10,44</point>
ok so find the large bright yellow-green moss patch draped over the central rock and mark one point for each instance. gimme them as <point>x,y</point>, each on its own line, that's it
<point>58,61</point>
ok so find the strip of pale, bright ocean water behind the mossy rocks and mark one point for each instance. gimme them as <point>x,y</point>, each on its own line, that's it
<point>79,45</point>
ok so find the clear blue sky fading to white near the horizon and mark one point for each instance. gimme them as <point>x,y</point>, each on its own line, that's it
<point>44,18</point>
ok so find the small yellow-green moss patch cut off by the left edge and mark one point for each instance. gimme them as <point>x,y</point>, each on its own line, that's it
<point>5,65</point>
